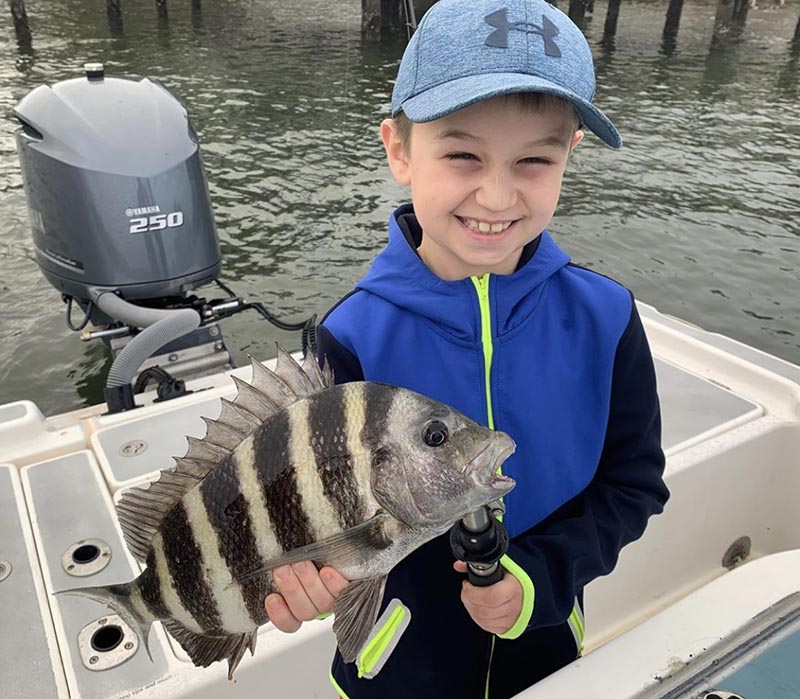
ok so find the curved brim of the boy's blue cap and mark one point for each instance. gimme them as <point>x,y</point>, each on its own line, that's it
<point>446,98</point>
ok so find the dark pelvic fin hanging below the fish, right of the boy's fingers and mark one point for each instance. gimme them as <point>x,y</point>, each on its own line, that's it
<point>355,611</point>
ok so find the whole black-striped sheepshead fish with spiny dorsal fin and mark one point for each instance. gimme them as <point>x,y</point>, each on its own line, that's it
<point>295,468</point>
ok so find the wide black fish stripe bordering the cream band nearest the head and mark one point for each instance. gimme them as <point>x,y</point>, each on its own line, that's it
<point>328,418</point>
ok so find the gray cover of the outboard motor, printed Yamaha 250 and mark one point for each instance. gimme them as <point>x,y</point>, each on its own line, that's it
<point>115,186</point>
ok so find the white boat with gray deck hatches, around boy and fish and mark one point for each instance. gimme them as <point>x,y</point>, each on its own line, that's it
<point>701,606</point>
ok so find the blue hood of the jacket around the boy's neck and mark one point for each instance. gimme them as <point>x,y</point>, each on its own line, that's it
<point>399,275</point>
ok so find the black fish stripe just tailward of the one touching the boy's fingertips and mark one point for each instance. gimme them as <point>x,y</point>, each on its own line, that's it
<point>185,563</point>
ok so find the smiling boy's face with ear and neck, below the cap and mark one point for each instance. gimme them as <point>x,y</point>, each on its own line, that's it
<point>484,181</point>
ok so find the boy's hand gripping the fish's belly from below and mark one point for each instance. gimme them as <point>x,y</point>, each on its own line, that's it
<point>305,593</point>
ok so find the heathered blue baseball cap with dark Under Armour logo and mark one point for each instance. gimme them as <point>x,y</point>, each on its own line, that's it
<point>465,51</point>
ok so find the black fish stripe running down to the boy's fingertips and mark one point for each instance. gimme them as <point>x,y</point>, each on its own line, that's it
<point>229,514</point>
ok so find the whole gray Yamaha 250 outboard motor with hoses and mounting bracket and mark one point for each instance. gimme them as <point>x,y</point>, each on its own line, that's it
<point>122,225</point>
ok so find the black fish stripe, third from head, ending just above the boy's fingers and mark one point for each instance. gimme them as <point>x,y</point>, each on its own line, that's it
<point>279,483</point>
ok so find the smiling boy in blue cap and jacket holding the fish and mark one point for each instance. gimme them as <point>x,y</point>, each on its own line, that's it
<point>473,304</point>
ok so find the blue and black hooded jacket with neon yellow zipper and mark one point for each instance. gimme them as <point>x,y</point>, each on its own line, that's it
<point>554,355</point>
